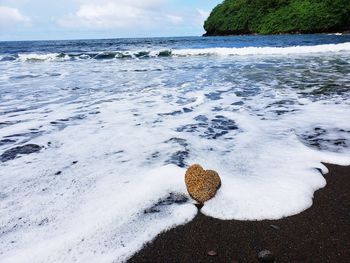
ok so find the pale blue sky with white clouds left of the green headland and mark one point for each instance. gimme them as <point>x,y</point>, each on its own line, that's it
<point>81,19</point>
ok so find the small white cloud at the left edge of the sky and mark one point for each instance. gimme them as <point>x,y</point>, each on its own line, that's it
<point>11,16</point>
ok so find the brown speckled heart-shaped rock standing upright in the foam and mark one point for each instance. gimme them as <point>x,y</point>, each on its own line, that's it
<point>201,184</point>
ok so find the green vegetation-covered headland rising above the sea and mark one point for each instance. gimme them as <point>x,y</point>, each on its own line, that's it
<point>234,17</point>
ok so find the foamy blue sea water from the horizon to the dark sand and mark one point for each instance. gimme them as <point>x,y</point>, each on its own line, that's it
<point>119,121</point>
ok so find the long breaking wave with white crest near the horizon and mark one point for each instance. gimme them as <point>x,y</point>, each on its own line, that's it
<point>243,51</point>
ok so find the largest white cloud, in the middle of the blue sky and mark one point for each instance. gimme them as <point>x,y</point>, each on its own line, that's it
<point>121,14</point>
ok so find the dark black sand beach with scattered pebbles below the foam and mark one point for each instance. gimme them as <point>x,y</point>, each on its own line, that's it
<point>319,234</point>
